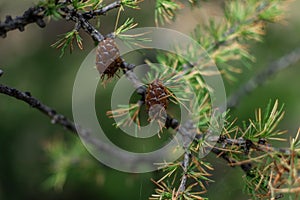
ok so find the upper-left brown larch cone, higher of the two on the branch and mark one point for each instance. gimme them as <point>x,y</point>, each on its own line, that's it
<point>108,60</point>
